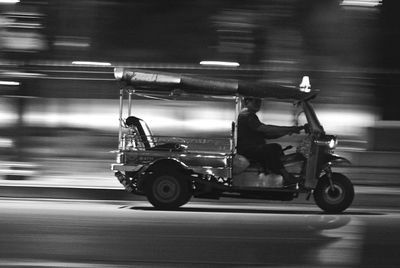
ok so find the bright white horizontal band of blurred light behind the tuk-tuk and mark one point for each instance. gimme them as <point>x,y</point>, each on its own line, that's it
<point>184,118</point>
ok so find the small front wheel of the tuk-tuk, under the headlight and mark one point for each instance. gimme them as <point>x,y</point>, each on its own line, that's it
<point>335,197</point>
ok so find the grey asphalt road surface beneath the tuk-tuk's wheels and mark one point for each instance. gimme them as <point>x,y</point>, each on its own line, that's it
<point>78,233</point>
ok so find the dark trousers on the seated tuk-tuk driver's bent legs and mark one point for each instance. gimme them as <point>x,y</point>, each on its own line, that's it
<point>268,155</point>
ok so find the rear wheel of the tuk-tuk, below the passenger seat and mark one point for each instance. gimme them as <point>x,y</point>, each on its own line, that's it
<point>167,191</point>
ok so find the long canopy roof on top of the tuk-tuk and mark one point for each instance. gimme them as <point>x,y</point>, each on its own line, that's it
<point>158,82</point>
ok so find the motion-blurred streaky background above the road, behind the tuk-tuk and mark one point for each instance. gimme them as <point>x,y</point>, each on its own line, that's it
<point>59,101</point>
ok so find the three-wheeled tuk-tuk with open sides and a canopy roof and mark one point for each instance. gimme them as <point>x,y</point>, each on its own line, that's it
<point>170,171</point>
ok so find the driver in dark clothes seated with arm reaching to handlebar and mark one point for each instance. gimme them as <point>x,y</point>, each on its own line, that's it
<point>251,141</point>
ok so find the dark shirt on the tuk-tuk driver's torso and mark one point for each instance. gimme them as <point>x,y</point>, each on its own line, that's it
<point>248,137</point>
